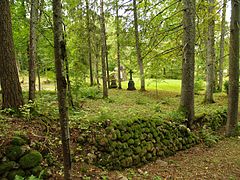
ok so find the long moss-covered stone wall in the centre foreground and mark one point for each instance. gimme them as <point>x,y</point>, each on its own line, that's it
<point>135,143</point>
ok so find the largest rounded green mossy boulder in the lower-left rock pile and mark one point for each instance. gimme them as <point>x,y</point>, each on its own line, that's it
<point>30,160</point>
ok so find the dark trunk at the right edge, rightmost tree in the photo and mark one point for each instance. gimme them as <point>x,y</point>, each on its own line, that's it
<point>233,94</point>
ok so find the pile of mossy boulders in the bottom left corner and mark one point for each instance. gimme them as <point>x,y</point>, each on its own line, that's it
<point>19,159</point>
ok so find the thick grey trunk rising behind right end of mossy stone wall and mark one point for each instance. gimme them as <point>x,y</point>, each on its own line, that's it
<point>187,90</point>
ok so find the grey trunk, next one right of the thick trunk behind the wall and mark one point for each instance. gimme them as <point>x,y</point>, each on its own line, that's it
<point>210,64</point>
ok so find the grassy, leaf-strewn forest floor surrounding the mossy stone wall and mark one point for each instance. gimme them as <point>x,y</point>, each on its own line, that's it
<point>222,161</point>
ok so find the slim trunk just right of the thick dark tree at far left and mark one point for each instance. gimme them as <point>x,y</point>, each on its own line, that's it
<point>32,50</point>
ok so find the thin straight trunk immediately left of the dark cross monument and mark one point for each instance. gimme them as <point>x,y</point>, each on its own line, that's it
<point>118,47</point>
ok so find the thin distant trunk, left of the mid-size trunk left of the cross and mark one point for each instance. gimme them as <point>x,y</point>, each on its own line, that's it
<point>89,45</point>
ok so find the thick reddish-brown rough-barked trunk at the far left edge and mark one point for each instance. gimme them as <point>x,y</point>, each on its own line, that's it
<point>11,89</point>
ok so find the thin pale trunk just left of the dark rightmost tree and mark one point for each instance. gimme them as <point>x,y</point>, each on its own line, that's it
<point>221,58</point>
